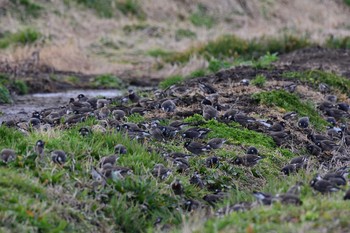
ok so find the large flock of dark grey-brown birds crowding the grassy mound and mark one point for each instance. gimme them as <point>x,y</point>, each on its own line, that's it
<point>112,114</point>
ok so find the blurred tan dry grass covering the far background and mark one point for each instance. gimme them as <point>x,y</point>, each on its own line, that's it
<point>74,36</point>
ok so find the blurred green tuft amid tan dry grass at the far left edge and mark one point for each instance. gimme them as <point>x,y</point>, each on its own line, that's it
<point>26,36</point>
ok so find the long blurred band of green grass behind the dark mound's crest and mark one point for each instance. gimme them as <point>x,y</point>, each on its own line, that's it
<point>229,46</point>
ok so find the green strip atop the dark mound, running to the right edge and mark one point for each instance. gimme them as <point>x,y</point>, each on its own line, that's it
<point>316,77</point>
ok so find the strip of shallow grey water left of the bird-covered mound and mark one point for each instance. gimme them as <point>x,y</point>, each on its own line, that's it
<point>24,105</point>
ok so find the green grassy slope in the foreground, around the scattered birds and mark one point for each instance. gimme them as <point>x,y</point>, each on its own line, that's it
<point>43,196</point>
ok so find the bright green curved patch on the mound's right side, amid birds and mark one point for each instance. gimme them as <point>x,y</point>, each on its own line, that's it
<point>291,102</point>
